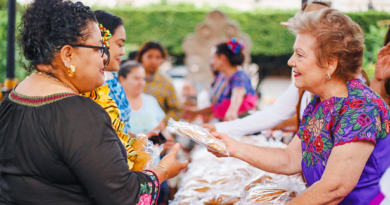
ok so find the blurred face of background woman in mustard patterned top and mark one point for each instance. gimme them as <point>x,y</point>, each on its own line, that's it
<point>151,60</point>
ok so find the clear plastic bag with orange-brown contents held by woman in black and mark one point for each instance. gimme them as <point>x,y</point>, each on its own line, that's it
<point>147,153</point>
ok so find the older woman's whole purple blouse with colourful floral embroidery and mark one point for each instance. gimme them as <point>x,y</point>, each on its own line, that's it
<point>363,115</point>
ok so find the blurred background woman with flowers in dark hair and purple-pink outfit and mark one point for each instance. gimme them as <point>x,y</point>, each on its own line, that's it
<point>232,94</point>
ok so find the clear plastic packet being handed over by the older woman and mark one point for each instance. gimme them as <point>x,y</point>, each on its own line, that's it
<point>199,135</point>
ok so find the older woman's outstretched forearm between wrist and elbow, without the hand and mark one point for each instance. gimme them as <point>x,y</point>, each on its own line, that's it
<point>274,160</point>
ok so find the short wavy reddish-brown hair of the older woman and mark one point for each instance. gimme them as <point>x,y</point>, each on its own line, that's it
<point>337,36</point>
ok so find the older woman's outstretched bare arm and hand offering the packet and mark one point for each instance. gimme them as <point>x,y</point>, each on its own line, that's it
<point>275,160</point>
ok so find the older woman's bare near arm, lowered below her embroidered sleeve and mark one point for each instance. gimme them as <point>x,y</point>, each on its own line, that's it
<point>339,179</point>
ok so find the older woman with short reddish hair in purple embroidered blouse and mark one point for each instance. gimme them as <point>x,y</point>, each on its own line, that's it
<point>342,145</point>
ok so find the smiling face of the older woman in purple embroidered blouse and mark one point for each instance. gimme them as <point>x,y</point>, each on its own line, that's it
<point>307,73</point>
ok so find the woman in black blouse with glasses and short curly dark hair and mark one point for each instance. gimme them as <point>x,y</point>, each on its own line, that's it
<point>57,147</point>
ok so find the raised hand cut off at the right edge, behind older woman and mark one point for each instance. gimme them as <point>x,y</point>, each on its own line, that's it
<point>382,70</point>
